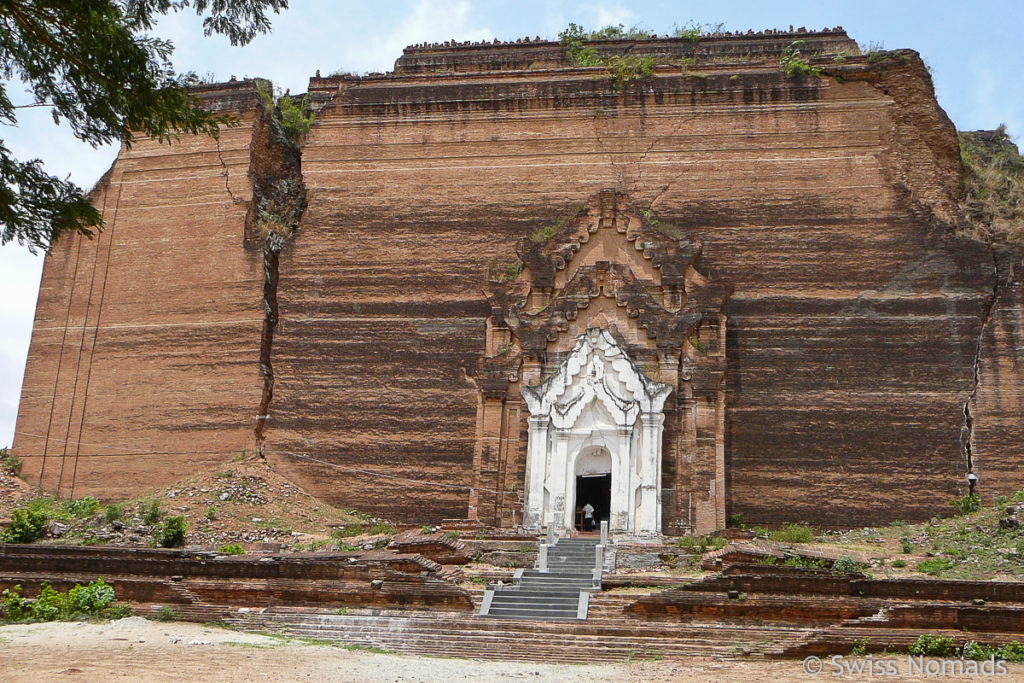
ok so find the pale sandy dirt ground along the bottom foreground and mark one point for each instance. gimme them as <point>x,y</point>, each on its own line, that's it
<point>136,650</point>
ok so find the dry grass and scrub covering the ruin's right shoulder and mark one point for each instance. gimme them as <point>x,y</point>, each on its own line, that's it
<point>993,185</point>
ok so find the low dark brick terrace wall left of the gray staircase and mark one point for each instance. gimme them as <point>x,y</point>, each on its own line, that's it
<point>205,580</point>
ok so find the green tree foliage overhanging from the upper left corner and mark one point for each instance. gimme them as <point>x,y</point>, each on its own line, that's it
<point>95,65</point>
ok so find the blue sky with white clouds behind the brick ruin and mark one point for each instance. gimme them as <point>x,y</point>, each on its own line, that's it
<point>974,51</point>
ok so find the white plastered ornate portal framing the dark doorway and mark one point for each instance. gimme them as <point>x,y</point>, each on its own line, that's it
<point>596,411</point>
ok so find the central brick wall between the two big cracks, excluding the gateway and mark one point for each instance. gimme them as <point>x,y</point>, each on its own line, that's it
<point>852,330</point>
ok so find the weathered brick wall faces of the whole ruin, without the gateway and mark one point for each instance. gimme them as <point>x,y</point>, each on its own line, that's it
<point>852,331</point>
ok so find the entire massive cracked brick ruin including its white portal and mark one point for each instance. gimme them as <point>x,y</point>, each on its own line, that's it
<point>781,252</point>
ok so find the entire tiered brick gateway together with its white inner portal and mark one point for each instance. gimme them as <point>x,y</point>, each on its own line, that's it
<point>566,416</point>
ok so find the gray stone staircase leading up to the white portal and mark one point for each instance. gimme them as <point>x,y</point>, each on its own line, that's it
<point>562,591</point>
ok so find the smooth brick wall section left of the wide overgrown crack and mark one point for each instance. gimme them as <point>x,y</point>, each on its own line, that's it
<point>142,365</point>
